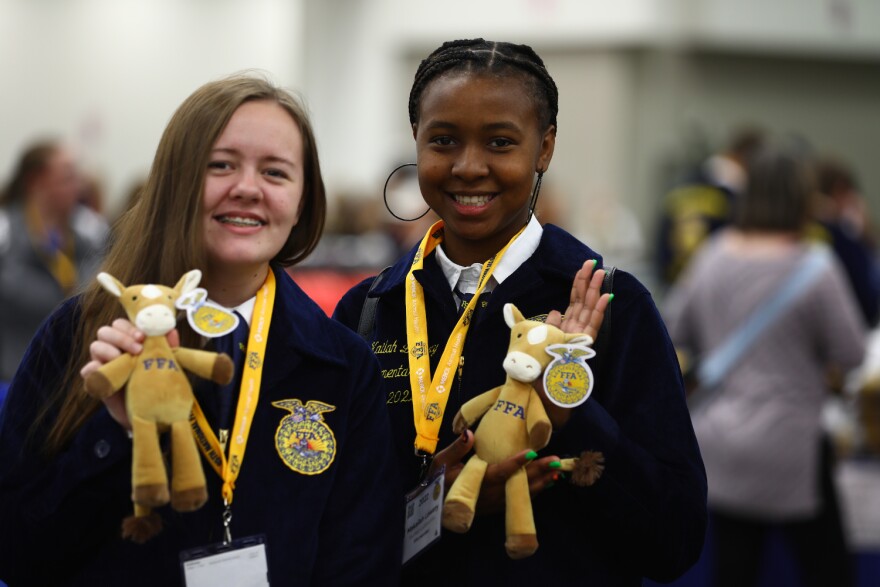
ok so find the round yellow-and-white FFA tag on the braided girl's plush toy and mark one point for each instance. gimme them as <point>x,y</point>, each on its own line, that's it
<point>568,379</point>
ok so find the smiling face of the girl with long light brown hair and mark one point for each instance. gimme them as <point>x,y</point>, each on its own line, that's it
<point>253,189</point>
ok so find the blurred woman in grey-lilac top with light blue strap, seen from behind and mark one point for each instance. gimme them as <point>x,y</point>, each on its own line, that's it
<point>760,432</point>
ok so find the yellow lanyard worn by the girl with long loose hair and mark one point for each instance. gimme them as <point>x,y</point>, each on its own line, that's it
<point>228,469</point>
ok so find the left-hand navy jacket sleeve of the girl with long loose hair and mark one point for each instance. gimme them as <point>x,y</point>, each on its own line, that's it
<point>54,511</point>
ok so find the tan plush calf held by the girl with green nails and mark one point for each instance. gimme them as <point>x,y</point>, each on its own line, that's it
<point>513,420</point>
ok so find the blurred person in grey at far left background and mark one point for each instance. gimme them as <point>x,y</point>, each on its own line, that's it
<point>50,245</point>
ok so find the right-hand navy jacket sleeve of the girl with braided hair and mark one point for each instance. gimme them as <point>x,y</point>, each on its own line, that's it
<point>652,494</point>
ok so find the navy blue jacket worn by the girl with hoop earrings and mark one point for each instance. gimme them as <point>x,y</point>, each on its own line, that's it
<point>646,516</point>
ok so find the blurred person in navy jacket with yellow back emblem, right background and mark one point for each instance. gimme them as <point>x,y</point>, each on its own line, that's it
<point>702,203</point>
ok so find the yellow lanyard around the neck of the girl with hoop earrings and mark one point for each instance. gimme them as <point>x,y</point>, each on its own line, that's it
<point>431,394</point>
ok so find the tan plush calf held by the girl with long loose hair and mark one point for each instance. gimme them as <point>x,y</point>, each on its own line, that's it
<point>158,399</point>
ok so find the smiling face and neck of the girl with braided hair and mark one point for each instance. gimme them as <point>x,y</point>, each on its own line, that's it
<point>479,143</point>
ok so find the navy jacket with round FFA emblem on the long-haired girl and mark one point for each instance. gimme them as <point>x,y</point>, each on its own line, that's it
<point>60,519</point>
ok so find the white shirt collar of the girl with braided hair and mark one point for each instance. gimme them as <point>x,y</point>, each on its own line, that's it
<point>465,279</point>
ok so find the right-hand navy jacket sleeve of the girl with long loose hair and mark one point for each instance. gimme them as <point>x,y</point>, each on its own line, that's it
<point>361,540</point>
